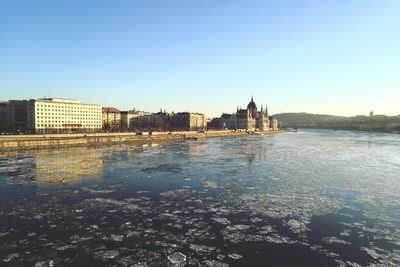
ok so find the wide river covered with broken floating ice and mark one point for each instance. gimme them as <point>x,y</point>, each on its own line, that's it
<point>311,198</point>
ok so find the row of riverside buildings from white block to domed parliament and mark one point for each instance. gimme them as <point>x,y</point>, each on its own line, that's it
<point>58,115</point>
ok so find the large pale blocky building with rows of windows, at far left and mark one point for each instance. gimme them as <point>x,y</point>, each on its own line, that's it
<point>53,115</point>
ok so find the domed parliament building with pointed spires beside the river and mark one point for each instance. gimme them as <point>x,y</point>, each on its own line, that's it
<point>249,119</point>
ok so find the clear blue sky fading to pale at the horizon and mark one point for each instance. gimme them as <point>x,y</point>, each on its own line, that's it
<point>331,57</point>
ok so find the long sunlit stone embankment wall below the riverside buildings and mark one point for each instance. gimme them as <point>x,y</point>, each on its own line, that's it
<point>55,141</point>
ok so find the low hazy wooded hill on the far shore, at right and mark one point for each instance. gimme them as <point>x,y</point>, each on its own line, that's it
<point>368,123</point>
